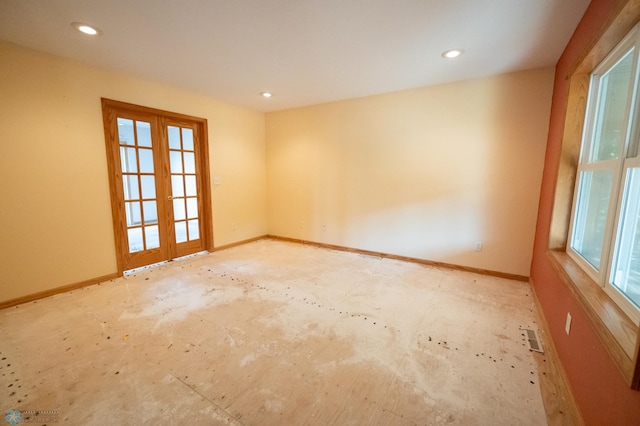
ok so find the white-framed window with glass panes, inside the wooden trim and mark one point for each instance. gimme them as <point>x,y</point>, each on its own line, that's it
<point>605,222</point>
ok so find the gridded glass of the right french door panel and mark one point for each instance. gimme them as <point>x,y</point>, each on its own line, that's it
<point>182,164</point>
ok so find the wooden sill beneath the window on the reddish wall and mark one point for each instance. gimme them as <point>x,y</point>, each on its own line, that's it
<point>615,329</point>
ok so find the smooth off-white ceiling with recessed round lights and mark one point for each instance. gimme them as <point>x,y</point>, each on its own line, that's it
<point>304,51</point>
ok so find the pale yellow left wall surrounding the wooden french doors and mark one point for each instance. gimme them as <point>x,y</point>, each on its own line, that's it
<point>55,217</point>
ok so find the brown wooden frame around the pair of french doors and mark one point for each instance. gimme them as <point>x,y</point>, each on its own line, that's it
<point>110,108</point>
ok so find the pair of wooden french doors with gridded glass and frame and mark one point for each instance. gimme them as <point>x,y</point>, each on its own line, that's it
<point>159,180</point>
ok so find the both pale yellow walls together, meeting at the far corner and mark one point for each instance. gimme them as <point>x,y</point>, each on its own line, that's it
<point>424,173</point>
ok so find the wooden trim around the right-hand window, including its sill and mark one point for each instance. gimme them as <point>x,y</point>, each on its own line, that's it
<point>618,333</point>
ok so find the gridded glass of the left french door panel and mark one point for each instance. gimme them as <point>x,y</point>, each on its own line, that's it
<point>138,181</point>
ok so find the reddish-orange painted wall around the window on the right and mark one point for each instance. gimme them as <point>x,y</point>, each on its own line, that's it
<point>602,395</point>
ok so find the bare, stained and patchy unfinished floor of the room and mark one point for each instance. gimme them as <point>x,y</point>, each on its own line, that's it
<point>276,333</point>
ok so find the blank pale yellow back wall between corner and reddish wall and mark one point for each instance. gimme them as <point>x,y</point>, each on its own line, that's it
<point>424,173</point>
